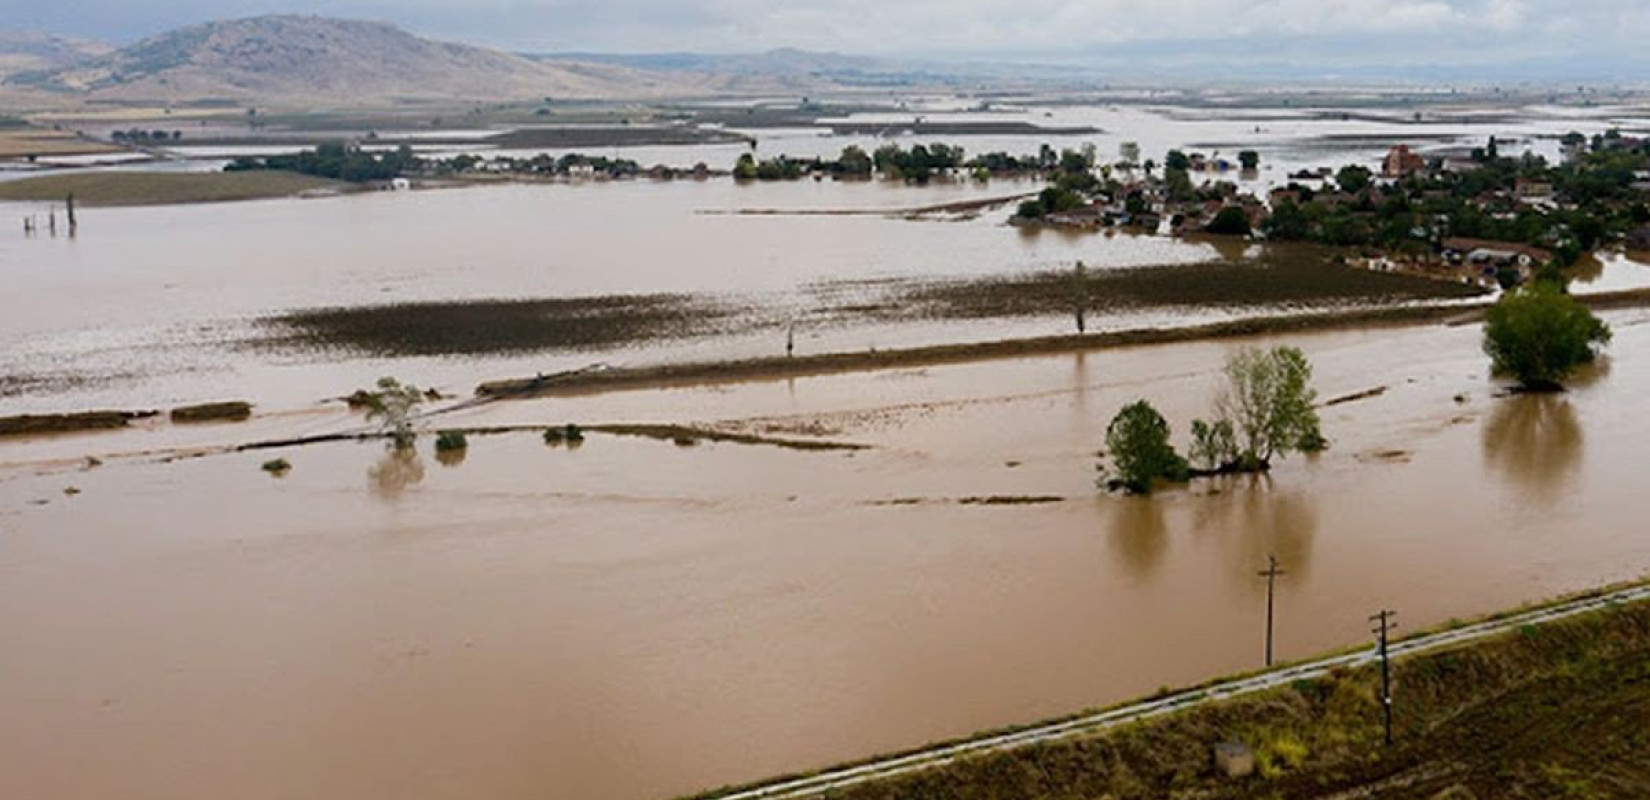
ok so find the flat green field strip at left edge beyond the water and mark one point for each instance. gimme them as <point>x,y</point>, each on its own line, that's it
<point>161,189</point>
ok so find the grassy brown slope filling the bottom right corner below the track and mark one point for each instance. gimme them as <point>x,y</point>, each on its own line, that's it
<point>1544,712</point>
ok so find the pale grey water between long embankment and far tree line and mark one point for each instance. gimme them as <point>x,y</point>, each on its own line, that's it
<point>159,306</point>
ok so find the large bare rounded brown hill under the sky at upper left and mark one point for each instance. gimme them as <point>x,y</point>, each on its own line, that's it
<point>311,60</point>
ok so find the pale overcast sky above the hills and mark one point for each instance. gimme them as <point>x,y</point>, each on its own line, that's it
<point>1336,32</point>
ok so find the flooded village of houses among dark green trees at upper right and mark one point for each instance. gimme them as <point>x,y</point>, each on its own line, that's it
<point>1476,217</point>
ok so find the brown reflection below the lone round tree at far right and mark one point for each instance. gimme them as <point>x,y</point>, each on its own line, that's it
<point>1537,443</point>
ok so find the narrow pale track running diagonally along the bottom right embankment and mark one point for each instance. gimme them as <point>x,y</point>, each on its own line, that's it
<point>836,779</point>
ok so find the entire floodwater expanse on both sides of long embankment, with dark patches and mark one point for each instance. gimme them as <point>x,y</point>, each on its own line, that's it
<point>687,600</point>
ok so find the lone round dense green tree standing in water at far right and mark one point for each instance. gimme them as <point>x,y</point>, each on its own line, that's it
<point>1540,336</point>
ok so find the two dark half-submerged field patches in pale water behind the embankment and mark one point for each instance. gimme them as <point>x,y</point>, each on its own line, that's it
<point>1291,283</point>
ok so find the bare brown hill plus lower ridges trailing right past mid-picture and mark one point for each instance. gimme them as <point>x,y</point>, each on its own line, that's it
<point>318,60</point>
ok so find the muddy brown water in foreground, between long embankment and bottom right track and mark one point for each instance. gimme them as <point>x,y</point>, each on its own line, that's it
<point>636,619</point>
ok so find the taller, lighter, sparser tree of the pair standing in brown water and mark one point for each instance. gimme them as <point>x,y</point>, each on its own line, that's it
<point>1270,403</point>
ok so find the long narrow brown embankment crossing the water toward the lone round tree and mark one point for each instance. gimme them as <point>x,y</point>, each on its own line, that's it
<point>831,364</point>
